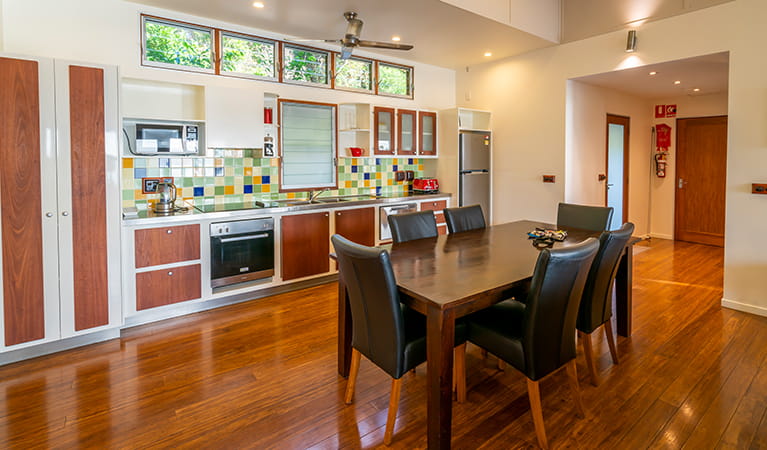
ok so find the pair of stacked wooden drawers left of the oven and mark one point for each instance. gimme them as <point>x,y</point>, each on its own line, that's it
<point>177,250</point>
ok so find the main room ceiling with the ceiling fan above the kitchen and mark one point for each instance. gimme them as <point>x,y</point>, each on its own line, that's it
<point>443,35</point>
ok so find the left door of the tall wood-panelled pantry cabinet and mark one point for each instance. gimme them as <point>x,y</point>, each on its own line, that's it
<point>29,275</point>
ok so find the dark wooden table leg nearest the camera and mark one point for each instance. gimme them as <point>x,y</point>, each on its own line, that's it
<point>440,340</point>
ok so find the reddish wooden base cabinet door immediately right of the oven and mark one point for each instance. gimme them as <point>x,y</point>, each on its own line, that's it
<point>305,245</point>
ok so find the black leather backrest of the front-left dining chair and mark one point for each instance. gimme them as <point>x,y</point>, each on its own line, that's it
<point>378,324</point>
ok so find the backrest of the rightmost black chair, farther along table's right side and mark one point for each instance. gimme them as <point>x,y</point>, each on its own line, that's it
<point>596,303</point>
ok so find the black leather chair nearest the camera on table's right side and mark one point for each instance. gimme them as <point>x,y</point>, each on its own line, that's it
<point>537,337</point>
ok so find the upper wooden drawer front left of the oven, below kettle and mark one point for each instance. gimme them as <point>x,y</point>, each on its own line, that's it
<point>166,245</point>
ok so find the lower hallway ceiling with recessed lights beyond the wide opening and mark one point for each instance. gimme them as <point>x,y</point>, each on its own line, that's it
<point>708,73</point>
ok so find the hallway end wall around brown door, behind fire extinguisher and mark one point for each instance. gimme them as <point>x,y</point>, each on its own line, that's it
<point>663,189</point>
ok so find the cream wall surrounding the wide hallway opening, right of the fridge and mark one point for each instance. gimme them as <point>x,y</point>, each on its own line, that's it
<point>527,95</point>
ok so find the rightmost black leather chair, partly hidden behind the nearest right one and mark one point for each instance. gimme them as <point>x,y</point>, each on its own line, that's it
<point>596,303</point>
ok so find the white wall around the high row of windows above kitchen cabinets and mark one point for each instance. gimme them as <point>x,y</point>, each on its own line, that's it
<point>108,31</point>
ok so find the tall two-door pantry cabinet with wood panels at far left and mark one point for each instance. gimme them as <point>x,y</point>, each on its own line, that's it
<point>59,190</point>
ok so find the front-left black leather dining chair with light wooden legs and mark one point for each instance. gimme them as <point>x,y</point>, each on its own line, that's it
<point>389,334</point>
